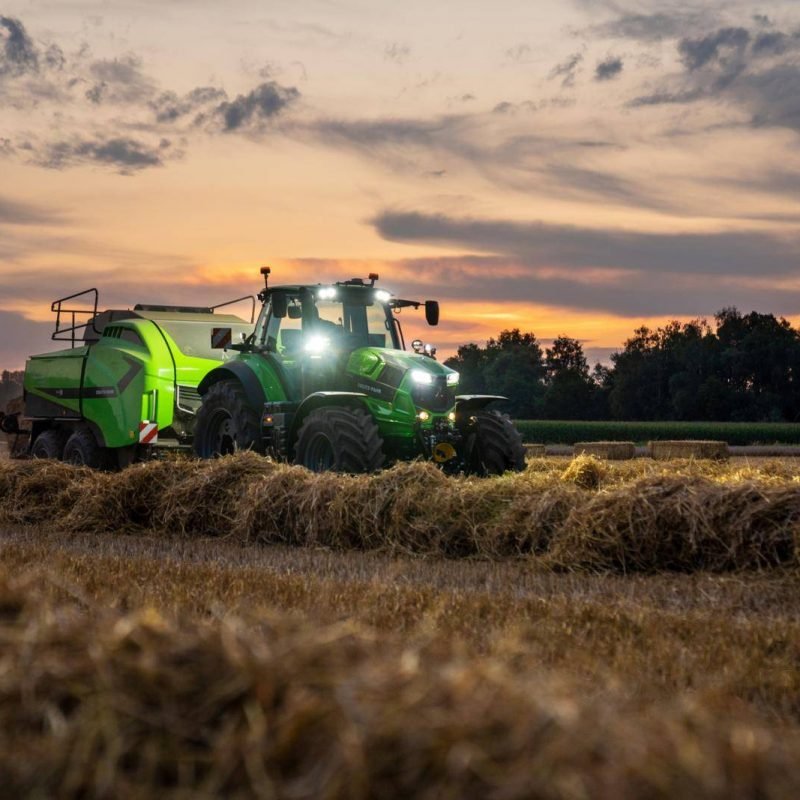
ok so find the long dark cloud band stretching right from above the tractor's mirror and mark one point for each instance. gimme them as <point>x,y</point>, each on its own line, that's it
<point>726,254</point>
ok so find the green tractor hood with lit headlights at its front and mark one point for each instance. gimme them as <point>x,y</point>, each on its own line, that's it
<point>381,373</point>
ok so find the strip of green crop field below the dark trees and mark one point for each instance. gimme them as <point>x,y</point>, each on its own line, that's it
<point>734,433</point>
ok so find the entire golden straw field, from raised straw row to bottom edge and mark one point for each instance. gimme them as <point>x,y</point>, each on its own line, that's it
<point>238,628</point>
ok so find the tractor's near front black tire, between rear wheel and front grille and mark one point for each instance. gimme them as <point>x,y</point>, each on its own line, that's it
<point>340,440</point>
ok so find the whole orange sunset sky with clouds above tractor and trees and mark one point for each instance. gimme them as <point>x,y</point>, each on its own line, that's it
<point>571,168</point>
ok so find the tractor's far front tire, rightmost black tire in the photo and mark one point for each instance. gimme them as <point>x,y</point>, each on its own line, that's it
<point>492,445</point>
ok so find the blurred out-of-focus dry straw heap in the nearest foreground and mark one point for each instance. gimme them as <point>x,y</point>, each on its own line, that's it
<point>99,703</point>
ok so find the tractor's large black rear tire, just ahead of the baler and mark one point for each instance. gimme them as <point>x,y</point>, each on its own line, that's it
<point>226,422</point>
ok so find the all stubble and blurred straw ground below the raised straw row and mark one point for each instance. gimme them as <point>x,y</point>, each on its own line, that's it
<point>140,665</point>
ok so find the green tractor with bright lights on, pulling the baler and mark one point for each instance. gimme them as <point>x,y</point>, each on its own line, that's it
<point>324,381</point>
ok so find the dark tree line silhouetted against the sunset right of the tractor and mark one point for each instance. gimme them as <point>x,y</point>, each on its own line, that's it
<point>746,367</point>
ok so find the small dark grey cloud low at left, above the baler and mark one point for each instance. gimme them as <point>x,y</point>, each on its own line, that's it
<point>126,155</point>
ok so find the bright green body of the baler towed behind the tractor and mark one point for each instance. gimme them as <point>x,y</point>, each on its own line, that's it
<point>132,373</point>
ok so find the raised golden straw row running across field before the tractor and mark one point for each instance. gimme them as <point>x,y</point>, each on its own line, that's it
<point>563,518</point>
